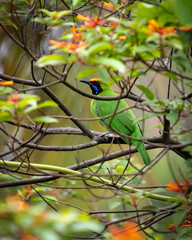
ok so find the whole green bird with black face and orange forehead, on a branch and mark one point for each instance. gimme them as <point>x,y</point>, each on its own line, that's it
<point>122,122</point>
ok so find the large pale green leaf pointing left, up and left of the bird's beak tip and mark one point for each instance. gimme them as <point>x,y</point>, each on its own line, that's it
<point>51,60</point>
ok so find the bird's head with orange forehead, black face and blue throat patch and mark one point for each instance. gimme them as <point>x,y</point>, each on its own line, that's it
<point>96,84</point>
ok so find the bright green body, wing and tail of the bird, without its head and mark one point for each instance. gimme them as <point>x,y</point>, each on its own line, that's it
<point>121,122</point>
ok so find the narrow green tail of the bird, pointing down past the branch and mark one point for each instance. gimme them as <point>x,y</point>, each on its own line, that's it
<point>140,146</point>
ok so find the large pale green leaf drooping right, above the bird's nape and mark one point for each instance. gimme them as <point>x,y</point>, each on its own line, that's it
<point>110,62</point>
